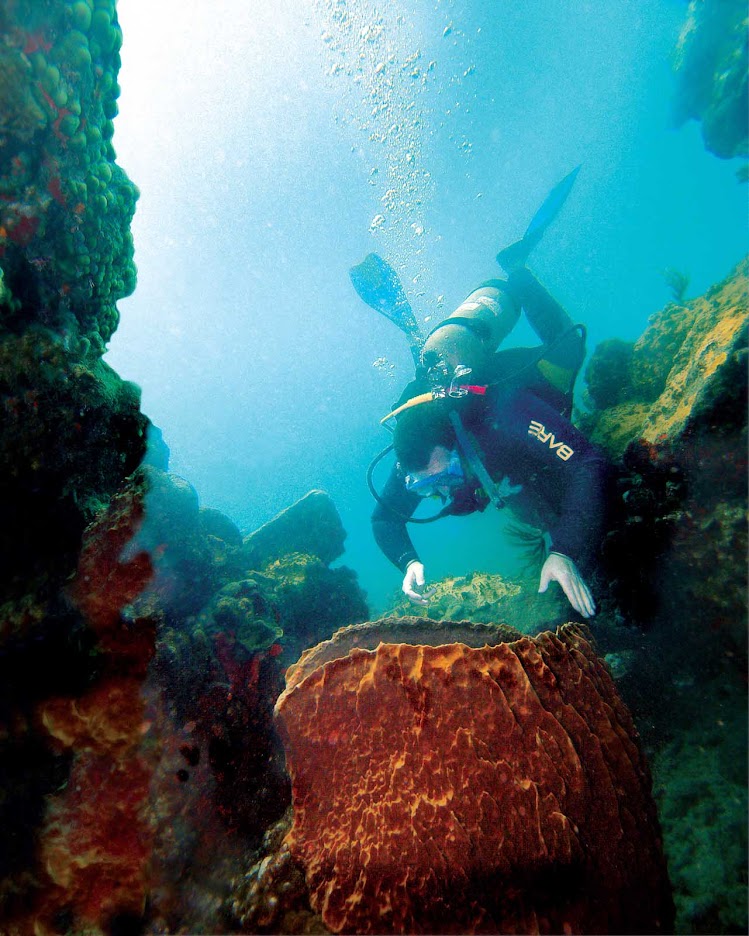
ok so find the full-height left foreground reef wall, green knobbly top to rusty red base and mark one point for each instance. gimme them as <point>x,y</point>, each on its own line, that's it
<point>71,433</point>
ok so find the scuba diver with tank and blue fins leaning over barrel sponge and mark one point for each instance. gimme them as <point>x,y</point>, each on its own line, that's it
<point>480,426</point>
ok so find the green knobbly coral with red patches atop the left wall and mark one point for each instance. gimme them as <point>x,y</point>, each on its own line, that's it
<point>65,245</point>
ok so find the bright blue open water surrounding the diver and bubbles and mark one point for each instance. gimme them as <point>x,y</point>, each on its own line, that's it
<point>277,143</point>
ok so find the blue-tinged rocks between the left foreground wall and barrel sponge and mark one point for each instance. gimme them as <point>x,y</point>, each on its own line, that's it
<point>219,668</point>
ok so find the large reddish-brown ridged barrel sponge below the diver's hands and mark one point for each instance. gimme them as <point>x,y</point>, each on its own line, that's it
<point>467,787</point>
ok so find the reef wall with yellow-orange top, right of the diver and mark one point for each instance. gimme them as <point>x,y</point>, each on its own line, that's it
<point>674,421</point>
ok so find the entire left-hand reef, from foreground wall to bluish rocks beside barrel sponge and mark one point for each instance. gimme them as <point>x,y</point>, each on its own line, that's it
<point>142,638</point>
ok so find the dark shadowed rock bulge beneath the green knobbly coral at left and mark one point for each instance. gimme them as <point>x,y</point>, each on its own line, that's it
<point>56,470</point>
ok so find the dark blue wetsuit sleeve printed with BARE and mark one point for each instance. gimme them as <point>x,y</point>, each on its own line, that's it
<point>573,475</point>
